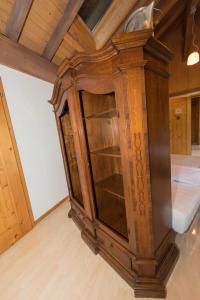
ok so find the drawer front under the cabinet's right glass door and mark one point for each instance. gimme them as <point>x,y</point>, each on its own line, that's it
<point>114,249</point>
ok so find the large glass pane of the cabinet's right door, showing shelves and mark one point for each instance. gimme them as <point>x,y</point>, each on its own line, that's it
<point>101,125</point>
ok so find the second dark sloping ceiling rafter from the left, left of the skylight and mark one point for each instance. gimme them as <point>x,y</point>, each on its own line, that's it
<point>62,27</point>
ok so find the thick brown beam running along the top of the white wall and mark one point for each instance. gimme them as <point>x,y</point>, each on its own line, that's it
<point>22,59</point>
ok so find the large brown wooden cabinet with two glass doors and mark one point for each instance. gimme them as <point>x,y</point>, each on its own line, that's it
<point>113,118</point>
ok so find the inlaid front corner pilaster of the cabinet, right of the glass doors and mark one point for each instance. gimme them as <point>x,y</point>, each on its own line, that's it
<point>139,169</point>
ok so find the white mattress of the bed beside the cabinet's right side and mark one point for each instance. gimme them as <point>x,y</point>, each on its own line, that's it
<point>185,203</point>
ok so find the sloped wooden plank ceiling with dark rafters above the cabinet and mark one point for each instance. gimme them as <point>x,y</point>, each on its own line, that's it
<point>57,29</point>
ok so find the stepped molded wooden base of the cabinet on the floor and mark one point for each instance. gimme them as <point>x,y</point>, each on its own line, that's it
<point>125,263</point>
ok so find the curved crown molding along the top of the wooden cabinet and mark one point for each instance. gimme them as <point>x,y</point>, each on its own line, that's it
<point>68,72</point>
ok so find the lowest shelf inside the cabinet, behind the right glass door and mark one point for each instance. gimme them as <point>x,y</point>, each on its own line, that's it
<point>113,185</point>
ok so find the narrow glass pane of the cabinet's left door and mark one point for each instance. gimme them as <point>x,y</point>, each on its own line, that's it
<point>71,156</point>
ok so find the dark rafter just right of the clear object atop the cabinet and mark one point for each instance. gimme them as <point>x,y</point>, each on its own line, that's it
<point>176,11</point>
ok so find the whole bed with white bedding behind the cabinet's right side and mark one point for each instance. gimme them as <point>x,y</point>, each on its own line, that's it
<point>185,196</point>
